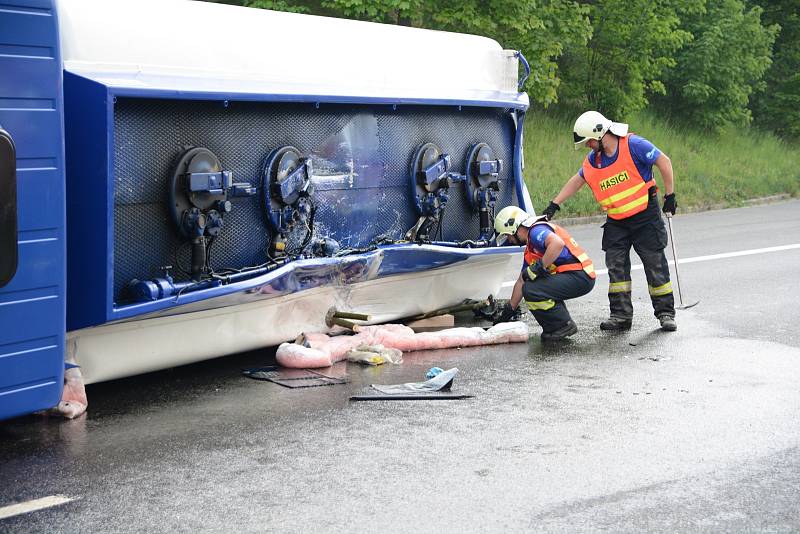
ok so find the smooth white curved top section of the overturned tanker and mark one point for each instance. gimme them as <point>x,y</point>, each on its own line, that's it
<point>182,45</point>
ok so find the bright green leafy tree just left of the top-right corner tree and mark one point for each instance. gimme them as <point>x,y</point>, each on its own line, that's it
<point>719,69</point>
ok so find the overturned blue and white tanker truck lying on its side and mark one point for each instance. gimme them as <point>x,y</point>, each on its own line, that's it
<point>181,180</point>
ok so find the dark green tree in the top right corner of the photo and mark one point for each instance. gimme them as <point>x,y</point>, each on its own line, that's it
<point>777,106</point>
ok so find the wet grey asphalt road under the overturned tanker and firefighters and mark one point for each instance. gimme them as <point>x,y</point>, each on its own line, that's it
<point>696,430</point>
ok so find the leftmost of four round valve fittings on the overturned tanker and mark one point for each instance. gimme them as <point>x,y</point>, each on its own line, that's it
<point>199,199</point>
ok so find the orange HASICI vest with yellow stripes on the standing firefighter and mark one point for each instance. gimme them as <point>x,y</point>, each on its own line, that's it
<point>619,188</point>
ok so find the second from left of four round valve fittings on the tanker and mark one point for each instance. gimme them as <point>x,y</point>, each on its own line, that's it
<point>286,195</point>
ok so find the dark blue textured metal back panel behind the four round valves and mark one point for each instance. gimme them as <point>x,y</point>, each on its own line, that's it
<point>361,157</point>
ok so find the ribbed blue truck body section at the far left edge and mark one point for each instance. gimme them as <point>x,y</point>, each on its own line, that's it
<point>32,204</point>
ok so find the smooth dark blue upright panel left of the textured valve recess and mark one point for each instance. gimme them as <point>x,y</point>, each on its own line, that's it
<point>90,270</point>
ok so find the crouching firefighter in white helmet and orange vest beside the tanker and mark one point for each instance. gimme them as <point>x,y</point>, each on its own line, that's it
<point>555,269</point>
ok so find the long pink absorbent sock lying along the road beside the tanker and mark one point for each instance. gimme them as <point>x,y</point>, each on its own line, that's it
<point>325,351</point>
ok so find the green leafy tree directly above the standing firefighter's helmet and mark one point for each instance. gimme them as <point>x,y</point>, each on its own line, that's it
<point>633,42</point>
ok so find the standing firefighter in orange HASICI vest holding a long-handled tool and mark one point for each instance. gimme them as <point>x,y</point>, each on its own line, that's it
<point>619,171</point>
